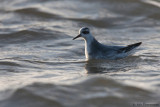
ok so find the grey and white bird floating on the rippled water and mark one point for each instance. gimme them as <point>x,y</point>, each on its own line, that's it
<point>96,50</point>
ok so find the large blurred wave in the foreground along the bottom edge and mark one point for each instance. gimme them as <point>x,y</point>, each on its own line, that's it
<point>95,91</point>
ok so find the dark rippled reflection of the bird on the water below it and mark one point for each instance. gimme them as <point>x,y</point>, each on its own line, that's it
<point>106,66</point>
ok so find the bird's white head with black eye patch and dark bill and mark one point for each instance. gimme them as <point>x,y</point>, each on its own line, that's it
<point>84,32</point>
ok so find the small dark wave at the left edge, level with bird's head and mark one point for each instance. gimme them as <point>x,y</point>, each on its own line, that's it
<point>24,36</point>
